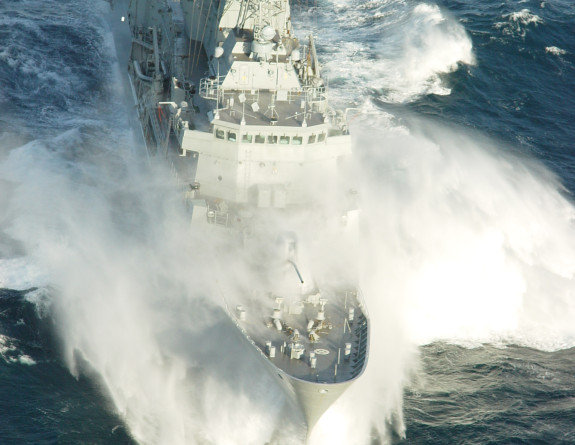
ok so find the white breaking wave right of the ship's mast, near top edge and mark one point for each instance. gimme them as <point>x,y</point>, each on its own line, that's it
<point>399,50</point>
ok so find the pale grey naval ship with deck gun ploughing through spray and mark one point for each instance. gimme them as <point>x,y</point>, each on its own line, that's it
<point>236,104</point>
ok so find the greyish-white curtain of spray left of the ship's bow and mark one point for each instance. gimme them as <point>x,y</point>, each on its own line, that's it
<point>135,298</point>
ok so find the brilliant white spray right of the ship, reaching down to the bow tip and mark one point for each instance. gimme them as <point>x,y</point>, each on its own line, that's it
<point>463,241</point>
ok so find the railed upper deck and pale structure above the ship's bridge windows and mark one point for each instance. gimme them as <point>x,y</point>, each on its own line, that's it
<point>261,100</point>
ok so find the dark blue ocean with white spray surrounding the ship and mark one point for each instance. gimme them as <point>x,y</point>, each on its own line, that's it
<point>463,122</point>
